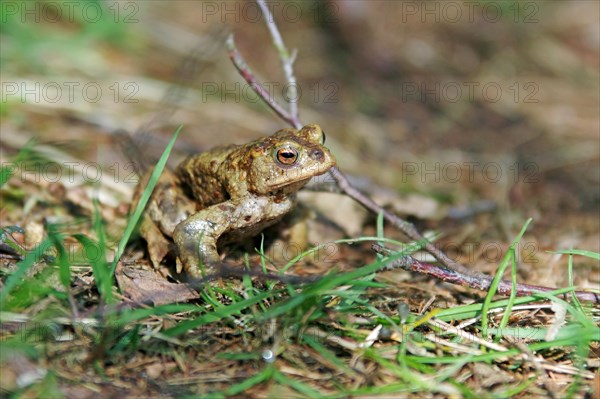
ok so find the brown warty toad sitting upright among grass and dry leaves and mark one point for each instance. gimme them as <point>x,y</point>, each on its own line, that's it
<point>228,194</point>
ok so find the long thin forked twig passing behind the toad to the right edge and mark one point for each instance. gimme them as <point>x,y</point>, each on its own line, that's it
<point>453,271</point>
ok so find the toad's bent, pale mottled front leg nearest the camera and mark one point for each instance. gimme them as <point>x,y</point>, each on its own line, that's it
<point>196,237</point>
